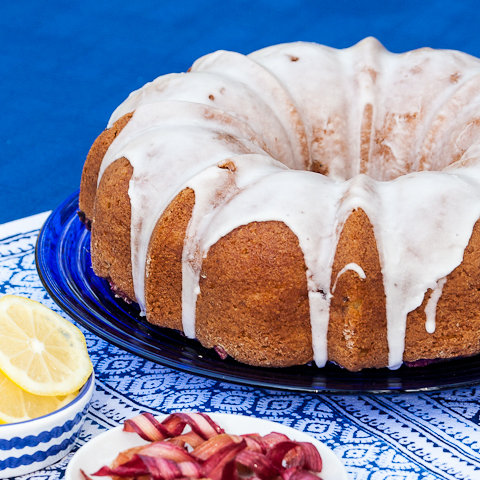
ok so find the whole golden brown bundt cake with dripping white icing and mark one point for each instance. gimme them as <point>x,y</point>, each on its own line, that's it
<point>300,203</point>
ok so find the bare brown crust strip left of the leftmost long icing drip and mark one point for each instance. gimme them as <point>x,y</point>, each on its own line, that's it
<point>110,244</point>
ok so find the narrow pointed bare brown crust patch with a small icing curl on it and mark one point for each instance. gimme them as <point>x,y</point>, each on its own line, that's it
<point>357,330</point>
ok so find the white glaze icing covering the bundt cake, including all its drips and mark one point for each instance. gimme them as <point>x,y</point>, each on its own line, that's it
<point>372,119</point>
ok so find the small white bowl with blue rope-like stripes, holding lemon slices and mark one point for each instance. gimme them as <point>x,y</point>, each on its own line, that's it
<point>35,444</point>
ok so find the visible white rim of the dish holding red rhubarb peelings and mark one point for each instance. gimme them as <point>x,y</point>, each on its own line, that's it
<point>103,449</point>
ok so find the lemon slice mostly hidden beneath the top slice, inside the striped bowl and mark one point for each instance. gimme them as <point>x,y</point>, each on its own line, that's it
<point>16,405</point>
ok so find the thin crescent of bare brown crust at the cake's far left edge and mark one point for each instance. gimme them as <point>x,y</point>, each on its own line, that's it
<point>88,185</point>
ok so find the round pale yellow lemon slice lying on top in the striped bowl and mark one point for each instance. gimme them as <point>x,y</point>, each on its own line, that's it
<point>40,351</point>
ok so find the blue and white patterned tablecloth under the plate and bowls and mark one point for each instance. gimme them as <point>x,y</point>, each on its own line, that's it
<point>423,436</point>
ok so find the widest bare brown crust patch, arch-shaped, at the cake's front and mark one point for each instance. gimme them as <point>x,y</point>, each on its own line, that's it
<point>253,301</point>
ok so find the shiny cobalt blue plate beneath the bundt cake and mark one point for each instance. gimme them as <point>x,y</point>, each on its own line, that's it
<point>63,263</point>
